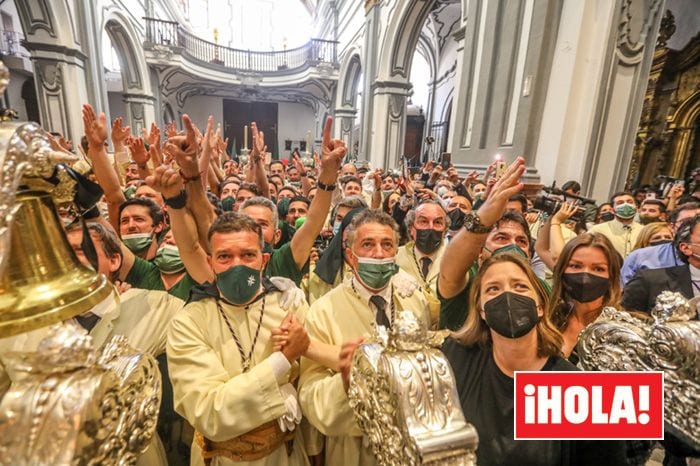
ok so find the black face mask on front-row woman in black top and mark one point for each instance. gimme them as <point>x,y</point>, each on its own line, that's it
<point>511,315</point>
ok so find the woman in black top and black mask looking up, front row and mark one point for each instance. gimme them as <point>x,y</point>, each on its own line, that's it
<point>507,330</point>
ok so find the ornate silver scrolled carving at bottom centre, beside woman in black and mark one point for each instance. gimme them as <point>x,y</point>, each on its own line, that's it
<point>405,401</point>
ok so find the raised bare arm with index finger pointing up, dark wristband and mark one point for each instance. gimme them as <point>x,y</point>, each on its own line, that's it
<point>332,153</point>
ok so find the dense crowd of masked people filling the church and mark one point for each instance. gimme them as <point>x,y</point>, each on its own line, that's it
<point>253,283</point>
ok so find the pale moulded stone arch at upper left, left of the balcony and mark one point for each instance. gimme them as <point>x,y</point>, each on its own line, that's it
<point>138,96</point>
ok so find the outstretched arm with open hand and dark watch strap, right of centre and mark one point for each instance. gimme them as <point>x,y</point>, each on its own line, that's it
<point>466,246</point>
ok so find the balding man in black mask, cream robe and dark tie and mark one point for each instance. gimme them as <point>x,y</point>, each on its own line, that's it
<point>427,225</point>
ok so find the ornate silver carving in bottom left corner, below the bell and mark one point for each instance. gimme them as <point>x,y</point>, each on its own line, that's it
<point>70,404</point>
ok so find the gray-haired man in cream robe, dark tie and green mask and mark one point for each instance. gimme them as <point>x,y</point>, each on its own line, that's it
<point>372,295</point>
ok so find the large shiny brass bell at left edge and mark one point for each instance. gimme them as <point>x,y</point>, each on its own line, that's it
<point>42,282</point>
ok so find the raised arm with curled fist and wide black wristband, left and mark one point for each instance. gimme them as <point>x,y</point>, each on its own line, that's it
<point>169,183</point>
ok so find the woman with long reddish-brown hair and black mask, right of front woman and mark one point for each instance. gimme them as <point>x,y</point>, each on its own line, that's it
<point>586,279</point>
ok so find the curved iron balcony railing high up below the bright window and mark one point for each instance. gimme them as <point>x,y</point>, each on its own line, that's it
<point>169,33</point>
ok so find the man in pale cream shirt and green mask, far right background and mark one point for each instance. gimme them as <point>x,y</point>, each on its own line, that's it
<point>622,231</point>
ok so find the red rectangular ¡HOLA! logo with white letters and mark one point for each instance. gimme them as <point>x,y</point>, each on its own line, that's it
<point>589,405</point>
